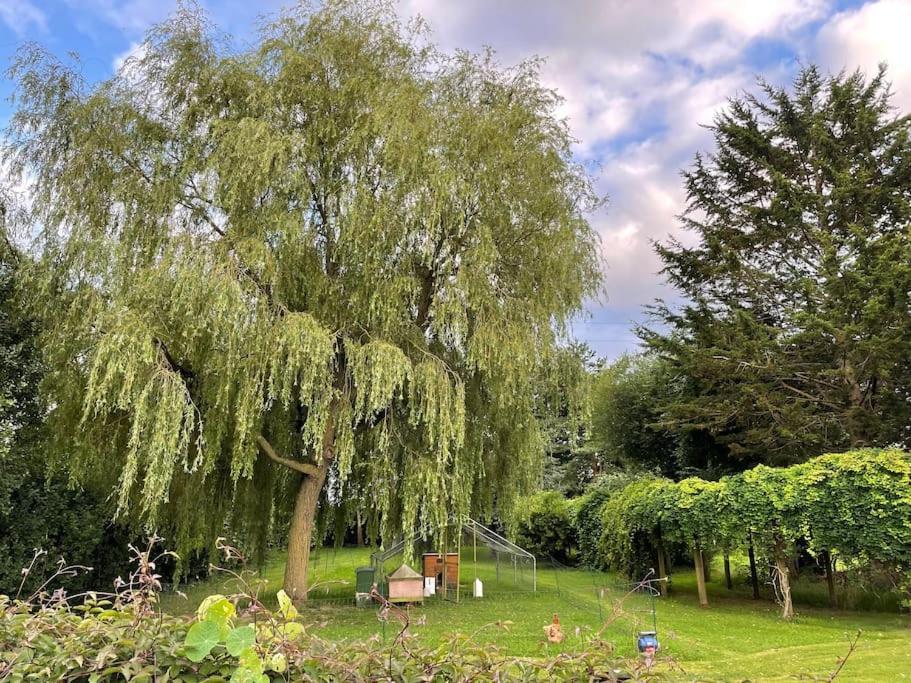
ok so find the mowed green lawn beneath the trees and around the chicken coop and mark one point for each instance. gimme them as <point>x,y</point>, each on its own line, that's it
<point>735,639</point>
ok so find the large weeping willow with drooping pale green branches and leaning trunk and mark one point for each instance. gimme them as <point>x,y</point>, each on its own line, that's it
<point>335,264</point>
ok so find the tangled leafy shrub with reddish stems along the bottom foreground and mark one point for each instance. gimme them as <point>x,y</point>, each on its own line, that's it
<point>124,636</point>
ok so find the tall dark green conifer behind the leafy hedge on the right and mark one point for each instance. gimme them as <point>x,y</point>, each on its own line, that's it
<point>793,330</point>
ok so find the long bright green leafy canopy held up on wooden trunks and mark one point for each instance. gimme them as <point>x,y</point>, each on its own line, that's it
<point>854,505</point>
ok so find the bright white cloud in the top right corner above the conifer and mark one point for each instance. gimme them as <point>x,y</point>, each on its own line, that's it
<point>864,37</point>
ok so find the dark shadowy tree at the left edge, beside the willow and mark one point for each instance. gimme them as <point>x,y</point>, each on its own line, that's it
<point>37,508</point>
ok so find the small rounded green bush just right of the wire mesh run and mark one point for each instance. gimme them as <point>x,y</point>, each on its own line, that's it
<point>547,527</point>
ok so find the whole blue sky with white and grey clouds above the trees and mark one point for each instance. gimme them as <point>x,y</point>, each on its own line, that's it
<point>638,77</point>
